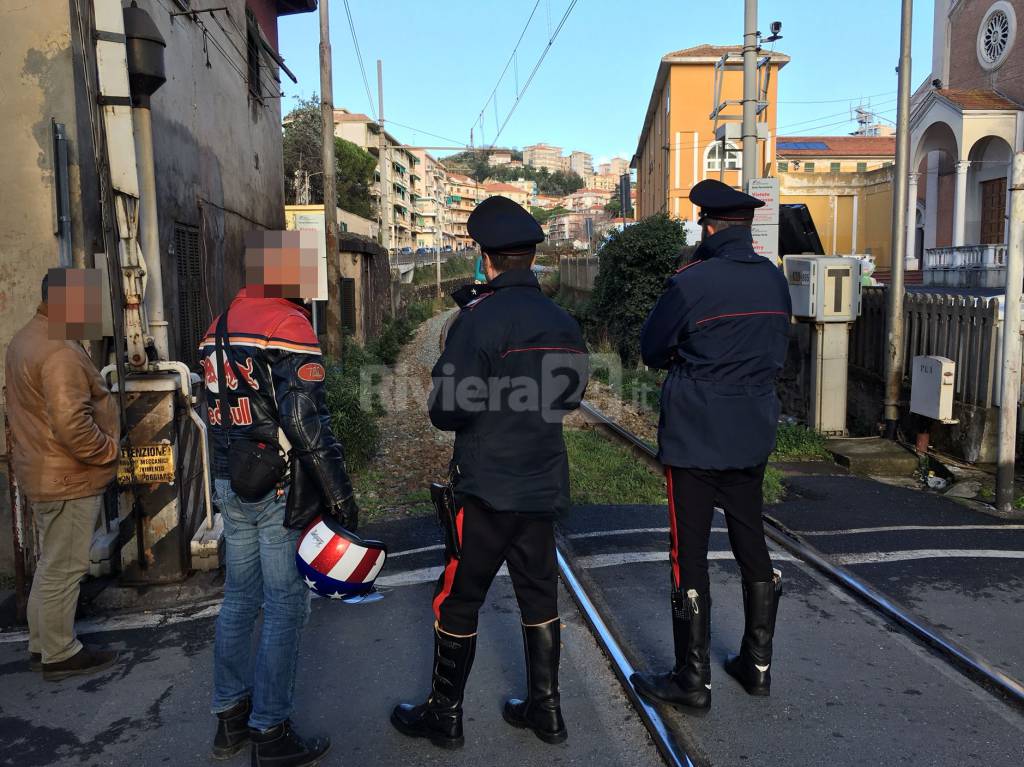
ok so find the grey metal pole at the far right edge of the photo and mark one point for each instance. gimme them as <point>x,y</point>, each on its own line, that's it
<point>1011,388</point>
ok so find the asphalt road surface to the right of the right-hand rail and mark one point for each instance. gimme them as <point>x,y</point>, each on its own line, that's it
<point>961,570</point>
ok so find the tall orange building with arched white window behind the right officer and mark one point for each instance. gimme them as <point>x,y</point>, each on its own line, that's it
<point>677,147</point>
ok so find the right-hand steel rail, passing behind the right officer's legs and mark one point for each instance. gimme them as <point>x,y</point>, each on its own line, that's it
<point>975,667</point>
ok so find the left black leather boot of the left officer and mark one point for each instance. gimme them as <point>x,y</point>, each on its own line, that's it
<point>440,719</point>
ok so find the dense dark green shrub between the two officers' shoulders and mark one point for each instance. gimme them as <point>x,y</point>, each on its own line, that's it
<point>634,266</point>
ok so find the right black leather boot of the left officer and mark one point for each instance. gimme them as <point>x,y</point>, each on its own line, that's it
<point>541,711</point>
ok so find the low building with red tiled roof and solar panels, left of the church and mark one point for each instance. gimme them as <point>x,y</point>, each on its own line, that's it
<point>834,154</point>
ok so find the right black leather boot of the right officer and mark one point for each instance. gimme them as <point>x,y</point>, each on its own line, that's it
<point>752,668</point>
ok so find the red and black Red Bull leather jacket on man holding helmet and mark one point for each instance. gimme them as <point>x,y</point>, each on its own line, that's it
<point>283,398</point>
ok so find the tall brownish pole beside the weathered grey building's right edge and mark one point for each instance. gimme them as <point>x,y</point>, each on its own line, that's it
<point>330,190</point>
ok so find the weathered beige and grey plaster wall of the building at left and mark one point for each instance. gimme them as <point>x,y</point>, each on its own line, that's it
<point>218,155</point>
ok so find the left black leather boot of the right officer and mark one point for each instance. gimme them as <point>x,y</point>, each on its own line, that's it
<point>689,685</point>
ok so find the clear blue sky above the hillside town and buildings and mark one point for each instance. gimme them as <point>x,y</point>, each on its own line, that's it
<point>443,60</point>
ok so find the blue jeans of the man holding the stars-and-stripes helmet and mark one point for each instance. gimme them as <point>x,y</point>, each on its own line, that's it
<point>261,573</point>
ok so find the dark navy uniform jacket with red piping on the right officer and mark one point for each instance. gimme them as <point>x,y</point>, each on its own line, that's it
<point>721,330</point>
